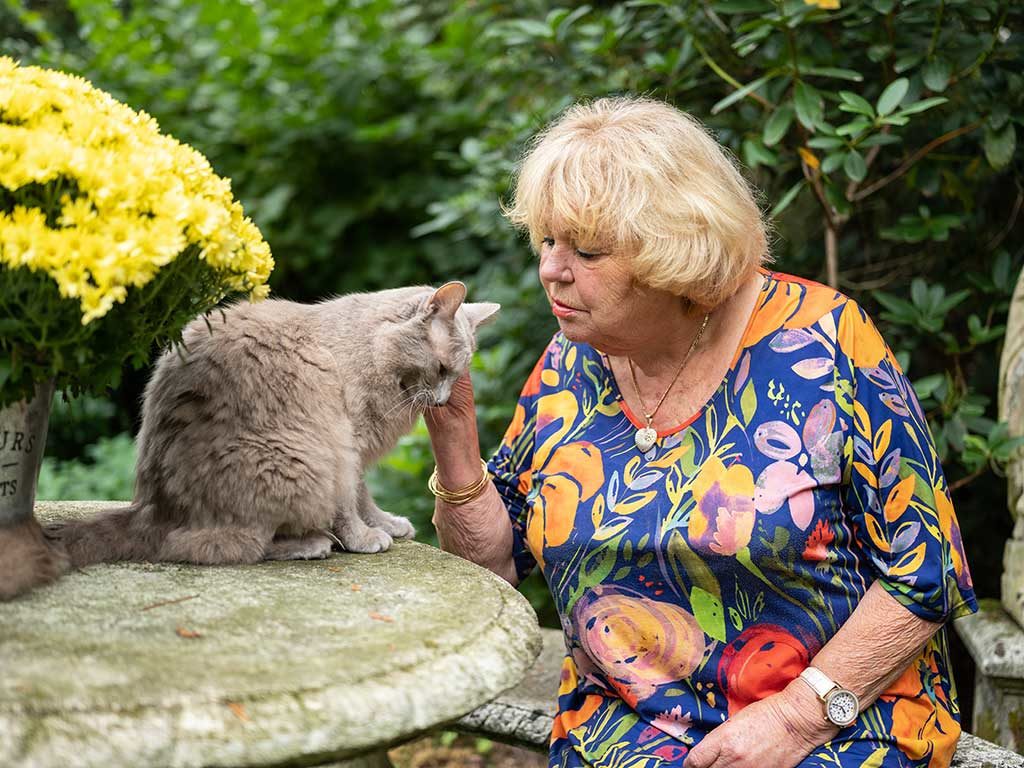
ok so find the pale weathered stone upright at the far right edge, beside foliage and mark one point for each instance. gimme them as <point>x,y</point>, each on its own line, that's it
<point>1012,411</point>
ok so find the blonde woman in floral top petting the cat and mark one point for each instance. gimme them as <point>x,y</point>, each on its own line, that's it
<point>721,471</point>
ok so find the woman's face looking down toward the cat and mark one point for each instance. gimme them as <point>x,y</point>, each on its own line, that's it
<point>595,298</point>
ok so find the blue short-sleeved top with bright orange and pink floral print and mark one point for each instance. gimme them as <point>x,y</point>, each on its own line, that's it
<point>704,575</point>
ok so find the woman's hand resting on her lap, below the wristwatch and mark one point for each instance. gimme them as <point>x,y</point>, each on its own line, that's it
<point>777,733</point>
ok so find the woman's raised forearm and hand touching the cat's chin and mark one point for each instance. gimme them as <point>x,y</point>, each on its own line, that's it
<point>479,531</point>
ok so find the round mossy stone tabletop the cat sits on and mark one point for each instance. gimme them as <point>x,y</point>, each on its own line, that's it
<point>280,663</point>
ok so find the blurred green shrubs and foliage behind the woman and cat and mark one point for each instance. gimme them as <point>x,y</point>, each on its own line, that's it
<point>372,141</point>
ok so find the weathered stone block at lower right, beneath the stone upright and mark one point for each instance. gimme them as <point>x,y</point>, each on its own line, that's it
<point>997,645</point>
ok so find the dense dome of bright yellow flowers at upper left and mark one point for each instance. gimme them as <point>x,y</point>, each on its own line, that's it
<point>103,200</point>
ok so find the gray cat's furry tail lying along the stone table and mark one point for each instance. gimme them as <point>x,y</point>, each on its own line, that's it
<point>124,534</point>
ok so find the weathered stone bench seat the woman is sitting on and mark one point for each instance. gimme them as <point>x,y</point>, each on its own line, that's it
<point>524,715</point>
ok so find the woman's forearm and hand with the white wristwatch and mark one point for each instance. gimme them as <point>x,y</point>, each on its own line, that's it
<point>875,647</point>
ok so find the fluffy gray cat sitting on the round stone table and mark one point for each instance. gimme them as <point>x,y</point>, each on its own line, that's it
<point>257,436</point>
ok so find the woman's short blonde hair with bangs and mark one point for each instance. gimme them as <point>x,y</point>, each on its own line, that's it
<point>639,176</point>
